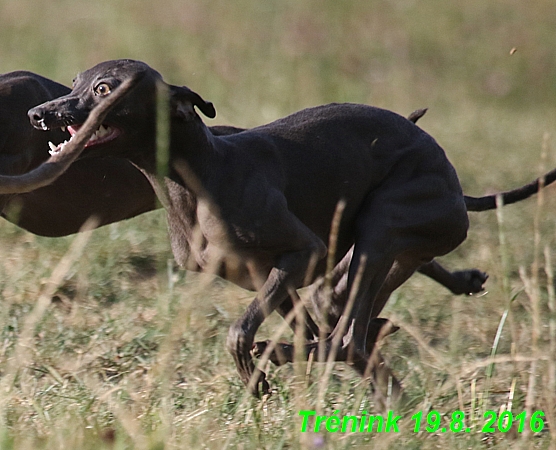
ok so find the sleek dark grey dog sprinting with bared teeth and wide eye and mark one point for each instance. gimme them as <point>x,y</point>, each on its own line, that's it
<point>263,199</point>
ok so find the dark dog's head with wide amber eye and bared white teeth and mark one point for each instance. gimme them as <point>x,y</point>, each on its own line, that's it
<point>130,127</point>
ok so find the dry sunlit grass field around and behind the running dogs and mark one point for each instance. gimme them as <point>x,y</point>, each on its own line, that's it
<point>105,344</point>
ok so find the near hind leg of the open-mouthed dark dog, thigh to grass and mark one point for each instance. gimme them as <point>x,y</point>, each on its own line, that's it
<point>394,244</point>
